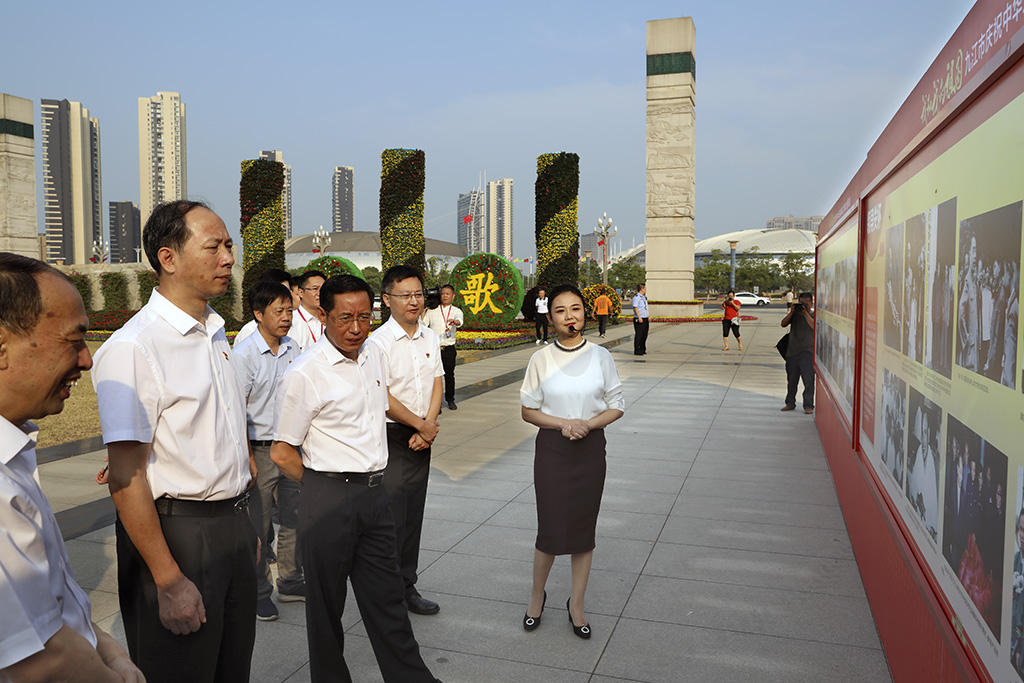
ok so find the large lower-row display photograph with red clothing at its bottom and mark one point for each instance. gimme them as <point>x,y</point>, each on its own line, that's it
<point>975,519</point>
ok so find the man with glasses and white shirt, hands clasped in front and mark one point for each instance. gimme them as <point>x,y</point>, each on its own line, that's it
<point>413,356</point>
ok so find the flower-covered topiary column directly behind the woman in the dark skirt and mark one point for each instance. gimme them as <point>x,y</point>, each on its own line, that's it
<point>558,230</point>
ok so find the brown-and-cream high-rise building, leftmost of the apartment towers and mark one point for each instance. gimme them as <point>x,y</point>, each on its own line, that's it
<point>72,190</point>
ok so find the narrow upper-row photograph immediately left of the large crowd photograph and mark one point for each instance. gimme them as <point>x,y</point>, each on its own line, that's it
<point>942,270</point>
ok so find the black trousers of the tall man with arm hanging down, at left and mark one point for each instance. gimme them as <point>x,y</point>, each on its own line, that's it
<point>219,554</point>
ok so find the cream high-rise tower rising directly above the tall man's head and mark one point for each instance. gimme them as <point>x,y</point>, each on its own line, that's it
<point>162,168</point>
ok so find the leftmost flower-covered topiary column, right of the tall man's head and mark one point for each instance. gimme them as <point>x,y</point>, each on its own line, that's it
<point>263,231</point>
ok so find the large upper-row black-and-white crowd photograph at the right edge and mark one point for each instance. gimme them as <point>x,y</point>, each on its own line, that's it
<point>989,292</point>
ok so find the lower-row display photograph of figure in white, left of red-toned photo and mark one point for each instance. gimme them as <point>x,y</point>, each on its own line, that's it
<point>924,440</point>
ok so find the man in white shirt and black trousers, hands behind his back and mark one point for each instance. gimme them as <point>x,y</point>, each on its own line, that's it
<point>332,403</point>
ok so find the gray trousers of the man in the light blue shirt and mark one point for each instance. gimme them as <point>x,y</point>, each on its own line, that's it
<point>271,484</point>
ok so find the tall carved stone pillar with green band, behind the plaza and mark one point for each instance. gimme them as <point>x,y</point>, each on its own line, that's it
<point>671,80</point>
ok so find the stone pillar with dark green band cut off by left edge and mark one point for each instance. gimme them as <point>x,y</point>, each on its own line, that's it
<point>19,227</point>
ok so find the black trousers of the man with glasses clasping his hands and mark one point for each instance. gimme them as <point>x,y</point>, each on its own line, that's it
<point>406,482</point>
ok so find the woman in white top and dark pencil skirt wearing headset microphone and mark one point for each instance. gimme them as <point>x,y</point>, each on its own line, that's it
<point>572,392</point>
